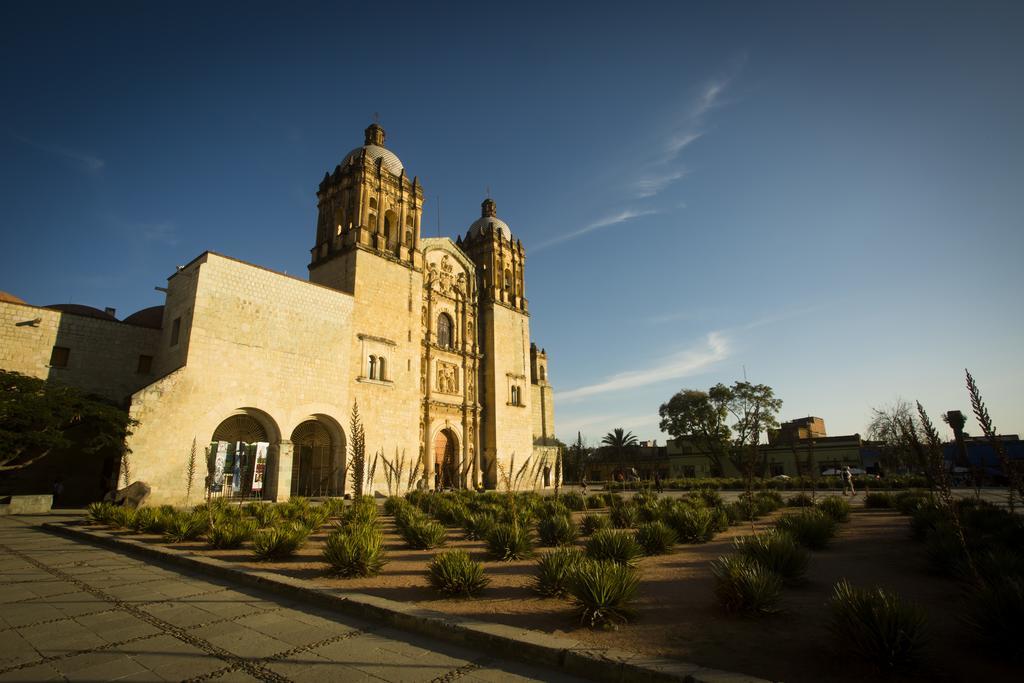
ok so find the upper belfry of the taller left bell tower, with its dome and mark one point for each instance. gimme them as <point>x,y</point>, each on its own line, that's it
<point>368,203</point>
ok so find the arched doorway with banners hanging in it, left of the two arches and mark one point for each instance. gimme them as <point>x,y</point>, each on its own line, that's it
<point>239,453</point>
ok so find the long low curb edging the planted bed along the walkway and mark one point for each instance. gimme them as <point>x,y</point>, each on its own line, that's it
<point>509,643</point>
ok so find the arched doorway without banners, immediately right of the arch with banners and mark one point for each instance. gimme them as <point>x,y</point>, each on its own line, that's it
<point>318,460</point>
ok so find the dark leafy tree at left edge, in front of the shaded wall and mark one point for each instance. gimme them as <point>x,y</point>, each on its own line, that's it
<point>38,417</point>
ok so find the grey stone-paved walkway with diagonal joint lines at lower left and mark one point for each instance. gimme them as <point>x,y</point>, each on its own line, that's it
<point>77,613</point>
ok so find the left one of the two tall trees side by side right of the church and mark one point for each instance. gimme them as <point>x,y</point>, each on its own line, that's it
<point>700,417</point>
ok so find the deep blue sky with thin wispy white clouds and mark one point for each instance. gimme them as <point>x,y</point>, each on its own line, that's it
<point>827,195</point>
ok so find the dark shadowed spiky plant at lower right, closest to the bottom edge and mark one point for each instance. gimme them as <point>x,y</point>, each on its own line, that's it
<point>878,628</point>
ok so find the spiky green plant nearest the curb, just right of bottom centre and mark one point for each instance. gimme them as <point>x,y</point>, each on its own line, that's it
<point>604,592</point>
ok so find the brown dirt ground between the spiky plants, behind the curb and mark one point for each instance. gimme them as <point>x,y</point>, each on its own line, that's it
<point>677,616</point>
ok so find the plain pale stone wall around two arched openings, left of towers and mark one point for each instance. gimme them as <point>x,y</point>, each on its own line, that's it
<point>258,343</point>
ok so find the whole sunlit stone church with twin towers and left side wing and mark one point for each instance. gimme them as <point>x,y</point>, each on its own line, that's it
<point>430,337</point>
